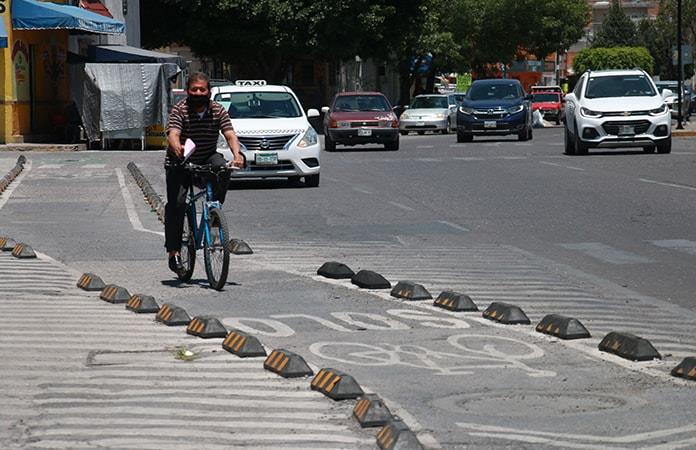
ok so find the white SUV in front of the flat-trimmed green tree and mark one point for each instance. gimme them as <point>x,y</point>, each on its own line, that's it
<point>617,108</point>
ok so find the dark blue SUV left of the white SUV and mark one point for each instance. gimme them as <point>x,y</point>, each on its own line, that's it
<point>495,107</point>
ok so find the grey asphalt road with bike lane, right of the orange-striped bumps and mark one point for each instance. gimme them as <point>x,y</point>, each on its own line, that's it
<point>606,238</point>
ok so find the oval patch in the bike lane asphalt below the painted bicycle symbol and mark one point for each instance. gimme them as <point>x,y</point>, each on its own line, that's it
<point>524,404</point>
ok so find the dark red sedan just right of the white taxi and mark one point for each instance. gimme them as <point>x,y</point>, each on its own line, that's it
<point>360,118</point>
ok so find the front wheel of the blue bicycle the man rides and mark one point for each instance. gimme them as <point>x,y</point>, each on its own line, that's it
<point>216,251</point>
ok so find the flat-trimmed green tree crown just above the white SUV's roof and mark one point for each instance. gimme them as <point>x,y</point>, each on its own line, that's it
<point>603,58</point>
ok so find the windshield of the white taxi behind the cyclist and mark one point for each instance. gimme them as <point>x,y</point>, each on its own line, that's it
<point>259,105</point>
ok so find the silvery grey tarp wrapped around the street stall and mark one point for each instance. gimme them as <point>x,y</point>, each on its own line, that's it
<point>121,97</point>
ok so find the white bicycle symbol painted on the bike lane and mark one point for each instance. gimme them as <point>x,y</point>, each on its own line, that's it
<point>472,352</point>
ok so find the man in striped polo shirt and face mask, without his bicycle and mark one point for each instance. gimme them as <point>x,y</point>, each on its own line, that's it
<point>201,120</point>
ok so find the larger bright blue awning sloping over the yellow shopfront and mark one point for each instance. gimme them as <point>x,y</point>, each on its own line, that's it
<point>36,15</point>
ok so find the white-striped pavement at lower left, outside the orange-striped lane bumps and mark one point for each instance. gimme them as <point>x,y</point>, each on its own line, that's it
<point>78,372</point>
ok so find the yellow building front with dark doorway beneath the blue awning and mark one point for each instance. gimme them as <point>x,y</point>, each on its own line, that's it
<point>49,86</point>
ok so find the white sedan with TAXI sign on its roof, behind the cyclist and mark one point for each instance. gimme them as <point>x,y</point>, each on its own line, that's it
<point>273,131</point>
